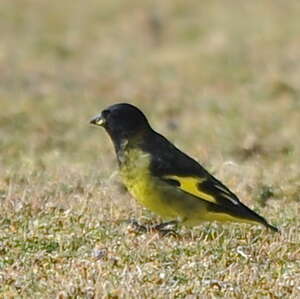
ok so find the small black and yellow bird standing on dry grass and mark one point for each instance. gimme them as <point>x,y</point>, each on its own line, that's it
<point>163,178</point>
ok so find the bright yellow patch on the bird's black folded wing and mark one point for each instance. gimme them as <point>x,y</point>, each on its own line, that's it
<point>191,185</point>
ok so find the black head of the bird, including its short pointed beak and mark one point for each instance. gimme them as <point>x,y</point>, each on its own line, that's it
<point>121,121</point>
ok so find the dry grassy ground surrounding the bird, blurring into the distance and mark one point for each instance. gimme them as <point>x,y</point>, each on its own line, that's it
<point>220,79</point>
